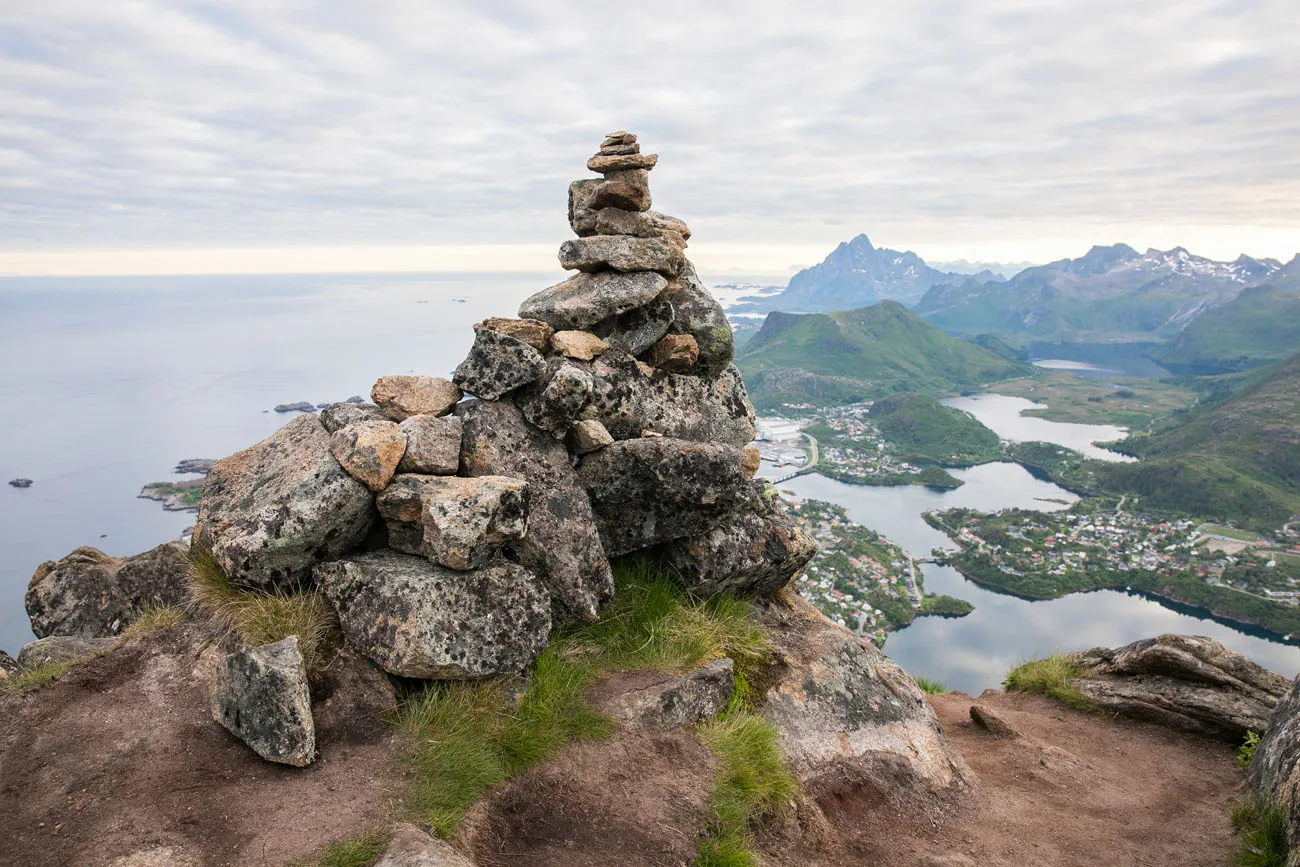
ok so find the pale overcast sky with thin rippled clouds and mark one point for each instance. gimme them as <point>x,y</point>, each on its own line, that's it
<point>422,133</point>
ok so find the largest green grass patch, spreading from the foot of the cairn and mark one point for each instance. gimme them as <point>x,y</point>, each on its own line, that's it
<point>473,736</point>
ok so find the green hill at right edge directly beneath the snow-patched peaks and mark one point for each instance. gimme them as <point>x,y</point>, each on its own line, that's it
<point>1259,327</point>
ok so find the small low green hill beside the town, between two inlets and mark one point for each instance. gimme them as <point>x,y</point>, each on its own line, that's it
<point>920,426</point>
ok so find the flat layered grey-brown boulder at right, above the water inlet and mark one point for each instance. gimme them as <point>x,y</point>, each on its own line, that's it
<point>1188,683</point>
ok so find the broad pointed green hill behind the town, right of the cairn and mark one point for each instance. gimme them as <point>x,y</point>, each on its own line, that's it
<point>869,353</point>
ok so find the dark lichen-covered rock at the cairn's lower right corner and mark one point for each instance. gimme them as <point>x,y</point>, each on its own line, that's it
<point>747,554</point>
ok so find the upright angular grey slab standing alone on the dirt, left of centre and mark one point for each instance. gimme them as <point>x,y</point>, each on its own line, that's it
<point>261,696</point>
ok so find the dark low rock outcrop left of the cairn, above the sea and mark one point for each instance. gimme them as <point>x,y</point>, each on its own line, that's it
<point>93,595</point>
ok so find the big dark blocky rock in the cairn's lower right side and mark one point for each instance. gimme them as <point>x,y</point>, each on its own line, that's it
<point>657,489</point>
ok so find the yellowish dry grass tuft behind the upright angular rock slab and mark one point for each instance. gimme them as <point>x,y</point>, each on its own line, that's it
<point>262,618</point>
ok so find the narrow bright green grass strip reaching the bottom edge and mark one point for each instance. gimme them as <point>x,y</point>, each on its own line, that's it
<point>753,783</point>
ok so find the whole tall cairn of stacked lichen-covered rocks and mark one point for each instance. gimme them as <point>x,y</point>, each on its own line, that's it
<point>453,536</point>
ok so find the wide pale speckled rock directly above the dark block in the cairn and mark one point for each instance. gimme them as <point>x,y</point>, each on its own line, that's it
<point>627,402</point>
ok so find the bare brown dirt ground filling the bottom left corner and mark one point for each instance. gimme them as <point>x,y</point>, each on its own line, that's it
<point>122,756</point>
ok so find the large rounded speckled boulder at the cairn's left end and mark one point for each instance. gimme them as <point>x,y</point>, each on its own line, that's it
<point>274,511</point>
